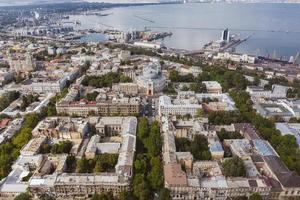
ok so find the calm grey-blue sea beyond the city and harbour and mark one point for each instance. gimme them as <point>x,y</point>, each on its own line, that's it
<point>274,29</point>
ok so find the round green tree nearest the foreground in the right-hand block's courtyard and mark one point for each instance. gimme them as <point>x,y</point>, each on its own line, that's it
<point>234,167</point>
